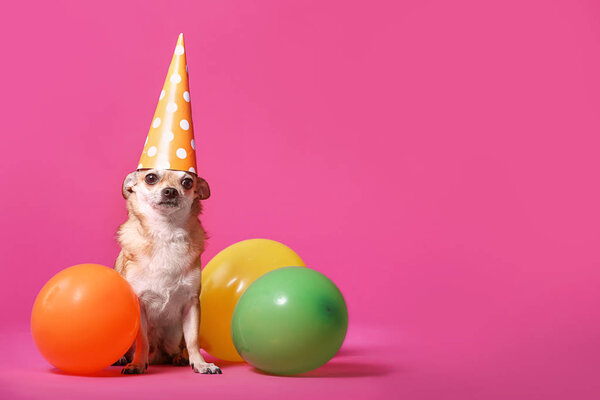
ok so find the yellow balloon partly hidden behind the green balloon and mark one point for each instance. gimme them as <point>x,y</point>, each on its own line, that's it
<point>224,280</point>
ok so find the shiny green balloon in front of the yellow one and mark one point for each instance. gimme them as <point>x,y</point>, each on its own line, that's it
<point>289,321</point>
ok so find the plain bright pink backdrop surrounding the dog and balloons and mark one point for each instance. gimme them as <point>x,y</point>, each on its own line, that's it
<point>437,160</point>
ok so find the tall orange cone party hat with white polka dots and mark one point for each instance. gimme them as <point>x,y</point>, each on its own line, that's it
<point>170,141</point>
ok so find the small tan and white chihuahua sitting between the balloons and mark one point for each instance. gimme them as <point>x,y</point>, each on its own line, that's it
<point>161,244</point>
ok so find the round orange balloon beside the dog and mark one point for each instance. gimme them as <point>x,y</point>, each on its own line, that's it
<point>85,318</point>
